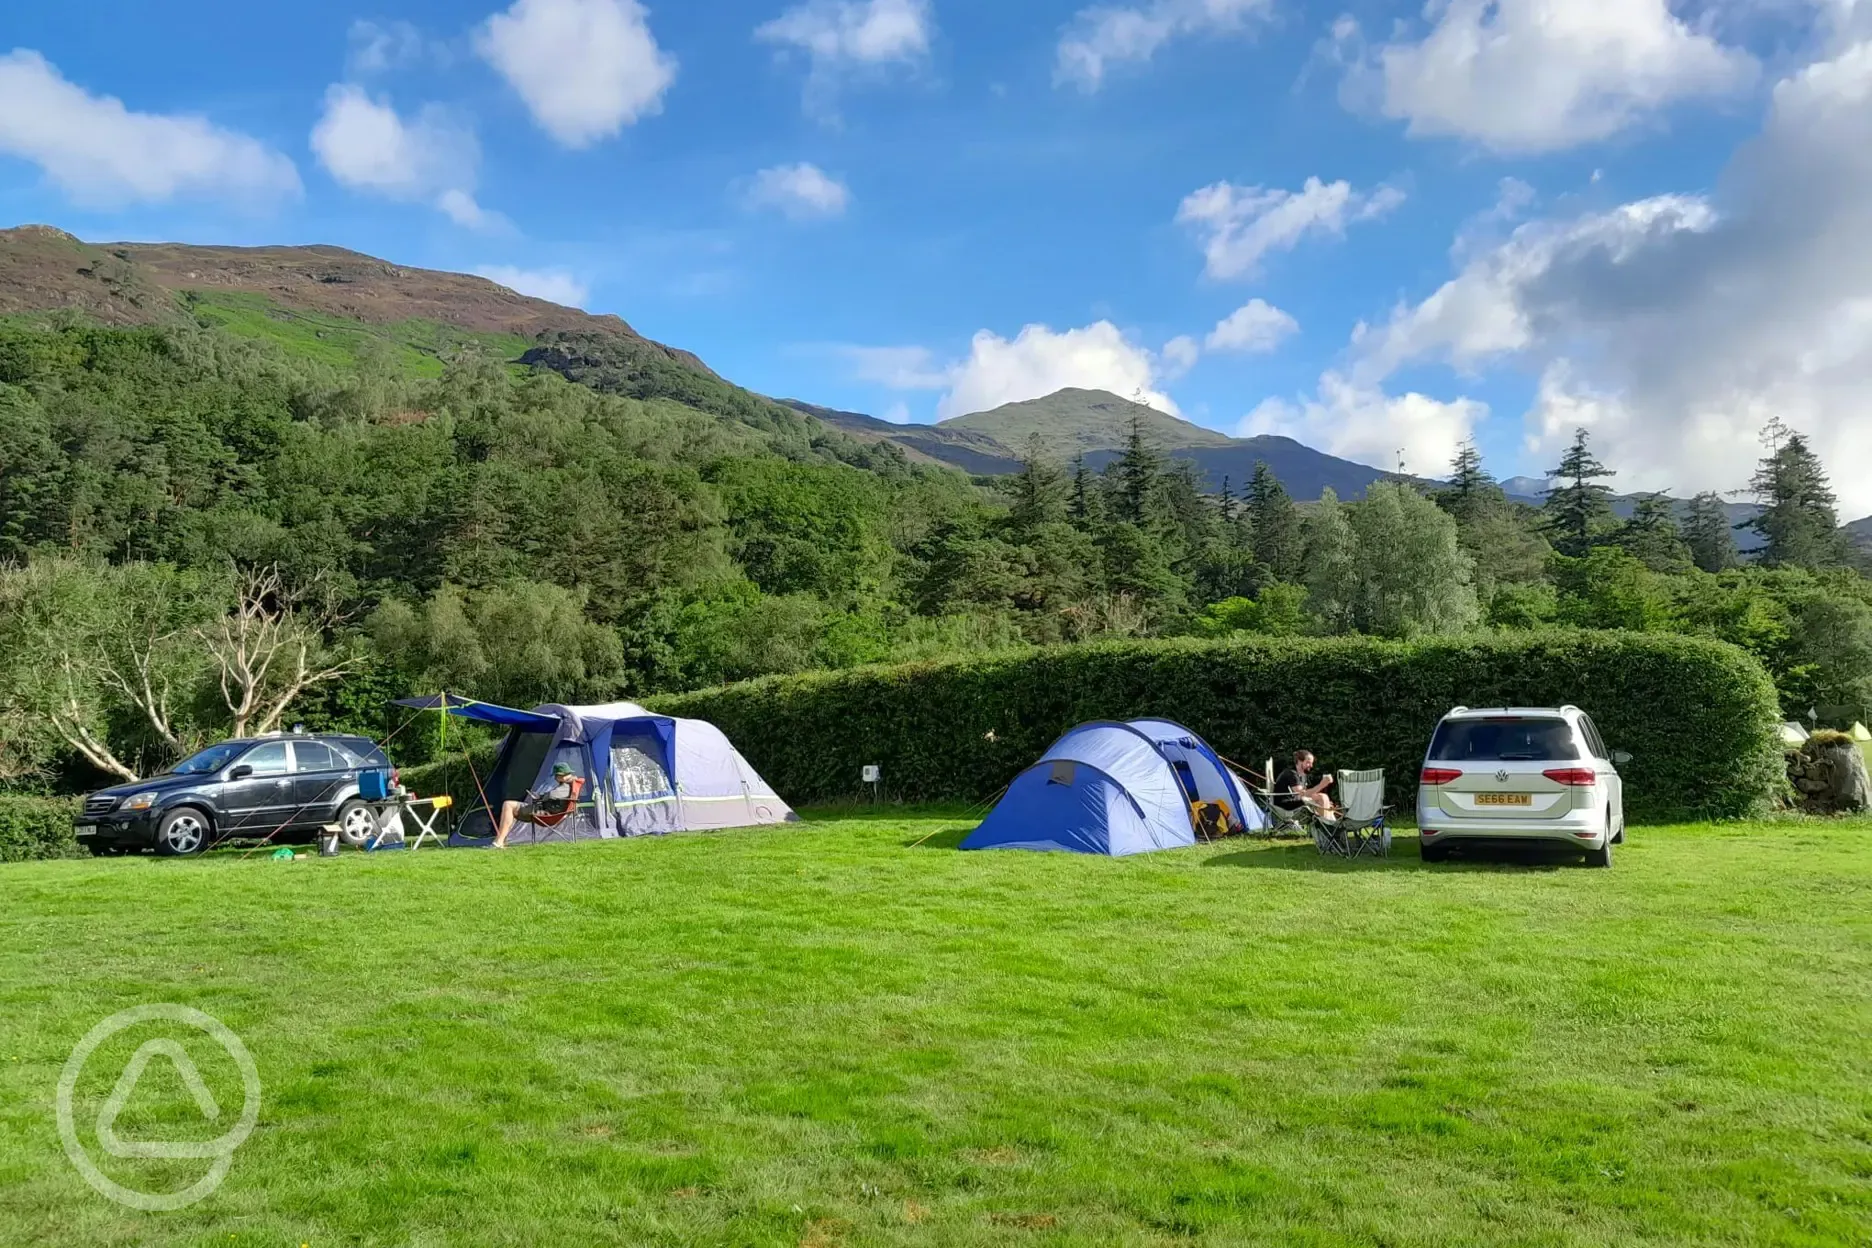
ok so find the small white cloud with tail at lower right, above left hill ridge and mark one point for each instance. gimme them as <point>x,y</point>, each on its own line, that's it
<point>430,160</point>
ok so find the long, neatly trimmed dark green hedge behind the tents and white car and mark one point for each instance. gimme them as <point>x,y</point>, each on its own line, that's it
<point>1697,716</point>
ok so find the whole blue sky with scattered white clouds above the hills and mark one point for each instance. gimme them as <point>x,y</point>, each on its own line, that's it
<point>1543,212</point>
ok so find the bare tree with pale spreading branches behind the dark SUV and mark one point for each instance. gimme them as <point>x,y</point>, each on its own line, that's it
<point>271,650</point>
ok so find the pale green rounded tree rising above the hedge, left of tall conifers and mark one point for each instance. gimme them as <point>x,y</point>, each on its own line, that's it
<point>1414,575</point>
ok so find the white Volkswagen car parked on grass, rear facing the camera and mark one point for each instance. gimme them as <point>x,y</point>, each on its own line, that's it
<point>1521,776</point>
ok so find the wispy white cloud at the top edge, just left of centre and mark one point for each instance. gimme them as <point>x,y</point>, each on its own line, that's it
<point>845,38</point>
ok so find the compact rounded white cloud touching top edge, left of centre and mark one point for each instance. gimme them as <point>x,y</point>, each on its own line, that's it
<point>585,68</point>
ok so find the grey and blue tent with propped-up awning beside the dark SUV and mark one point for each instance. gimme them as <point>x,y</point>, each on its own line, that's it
<point>643,774</point>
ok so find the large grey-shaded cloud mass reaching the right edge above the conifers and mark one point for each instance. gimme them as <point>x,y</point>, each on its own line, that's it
<point>1676,327</point>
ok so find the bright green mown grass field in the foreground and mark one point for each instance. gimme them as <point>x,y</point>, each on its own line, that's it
<point>825,1036</point>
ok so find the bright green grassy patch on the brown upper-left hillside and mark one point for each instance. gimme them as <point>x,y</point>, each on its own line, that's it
<point>417,347</point>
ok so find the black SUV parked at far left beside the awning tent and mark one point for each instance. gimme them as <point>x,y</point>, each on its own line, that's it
<point>257,789</point>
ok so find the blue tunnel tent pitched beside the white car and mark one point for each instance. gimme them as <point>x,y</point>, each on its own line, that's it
<point>1117,789</point>
